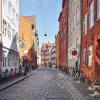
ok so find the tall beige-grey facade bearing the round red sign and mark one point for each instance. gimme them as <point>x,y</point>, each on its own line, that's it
<point>74,32</point>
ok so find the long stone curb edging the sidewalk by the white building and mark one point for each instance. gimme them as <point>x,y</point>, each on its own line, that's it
<point>15,82</point>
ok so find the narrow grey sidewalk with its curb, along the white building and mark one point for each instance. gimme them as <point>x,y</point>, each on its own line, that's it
<point>6,85</point>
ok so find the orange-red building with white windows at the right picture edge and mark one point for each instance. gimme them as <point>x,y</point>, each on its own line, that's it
<point>90,46</point>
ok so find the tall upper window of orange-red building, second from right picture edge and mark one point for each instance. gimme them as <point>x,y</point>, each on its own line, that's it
<point>92,14</point>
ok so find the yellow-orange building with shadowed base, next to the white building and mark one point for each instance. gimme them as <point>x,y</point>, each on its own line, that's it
<point>28,39</point>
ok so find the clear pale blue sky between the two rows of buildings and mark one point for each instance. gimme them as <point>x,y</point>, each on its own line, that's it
<point>47,13</point>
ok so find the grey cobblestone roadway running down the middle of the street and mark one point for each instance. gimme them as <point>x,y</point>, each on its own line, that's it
<point>44,84</point>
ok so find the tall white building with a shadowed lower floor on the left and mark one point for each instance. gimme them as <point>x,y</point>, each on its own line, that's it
<point>10,30</point>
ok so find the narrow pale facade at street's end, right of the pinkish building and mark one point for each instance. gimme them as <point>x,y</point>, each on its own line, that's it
<point>53,55</point>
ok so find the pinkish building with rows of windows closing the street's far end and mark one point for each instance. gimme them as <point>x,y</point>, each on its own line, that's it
<point>46,54</point>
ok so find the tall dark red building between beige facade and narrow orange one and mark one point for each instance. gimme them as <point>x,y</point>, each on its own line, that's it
<point>63,30</point>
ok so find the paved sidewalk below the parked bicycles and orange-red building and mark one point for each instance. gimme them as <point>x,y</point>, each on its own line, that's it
<point>79,90</point>
